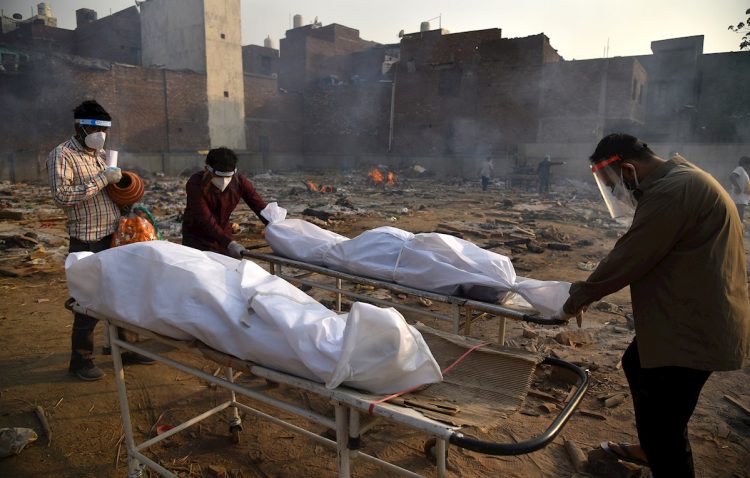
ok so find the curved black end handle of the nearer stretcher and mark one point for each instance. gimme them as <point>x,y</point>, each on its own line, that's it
<point>539,442</point>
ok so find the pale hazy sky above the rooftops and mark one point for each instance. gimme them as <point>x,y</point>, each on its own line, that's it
<point>578,29</point>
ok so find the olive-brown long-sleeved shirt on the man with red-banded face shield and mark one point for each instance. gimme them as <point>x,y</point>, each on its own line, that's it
<point>684,260</point>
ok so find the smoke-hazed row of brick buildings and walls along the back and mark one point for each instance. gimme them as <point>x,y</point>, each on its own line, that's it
<point>329,92</point>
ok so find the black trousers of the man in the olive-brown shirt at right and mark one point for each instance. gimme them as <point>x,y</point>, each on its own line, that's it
<point>664,399</point>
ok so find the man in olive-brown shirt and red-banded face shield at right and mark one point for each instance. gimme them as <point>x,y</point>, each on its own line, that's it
<point>684,260</point>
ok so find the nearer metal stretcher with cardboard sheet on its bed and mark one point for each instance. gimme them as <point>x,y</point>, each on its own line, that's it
<point>485,383</point>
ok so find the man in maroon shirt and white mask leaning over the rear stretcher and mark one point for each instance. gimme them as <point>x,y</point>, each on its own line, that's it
<point>212,195</point>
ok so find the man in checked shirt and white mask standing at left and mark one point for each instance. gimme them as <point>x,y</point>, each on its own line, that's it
<point>78,176</point>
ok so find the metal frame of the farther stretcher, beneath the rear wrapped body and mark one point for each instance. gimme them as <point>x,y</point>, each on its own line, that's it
<point>462,309</point>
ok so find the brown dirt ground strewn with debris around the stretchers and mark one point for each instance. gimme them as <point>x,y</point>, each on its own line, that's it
<point>84,417</point>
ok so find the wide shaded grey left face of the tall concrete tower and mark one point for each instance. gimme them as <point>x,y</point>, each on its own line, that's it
<point>173,34</point>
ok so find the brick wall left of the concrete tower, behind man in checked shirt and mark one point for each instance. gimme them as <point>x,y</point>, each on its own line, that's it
<point>44,93</point>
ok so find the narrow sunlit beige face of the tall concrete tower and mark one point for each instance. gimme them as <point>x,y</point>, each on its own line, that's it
<point>224,77</point>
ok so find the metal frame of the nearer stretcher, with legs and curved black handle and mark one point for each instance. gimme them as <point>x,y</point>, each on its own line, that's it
<point>349,406</point>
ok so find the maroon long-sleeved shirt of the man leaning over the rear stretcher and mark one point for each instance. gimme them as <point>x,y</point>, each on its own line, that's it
<point>205,224</point>
